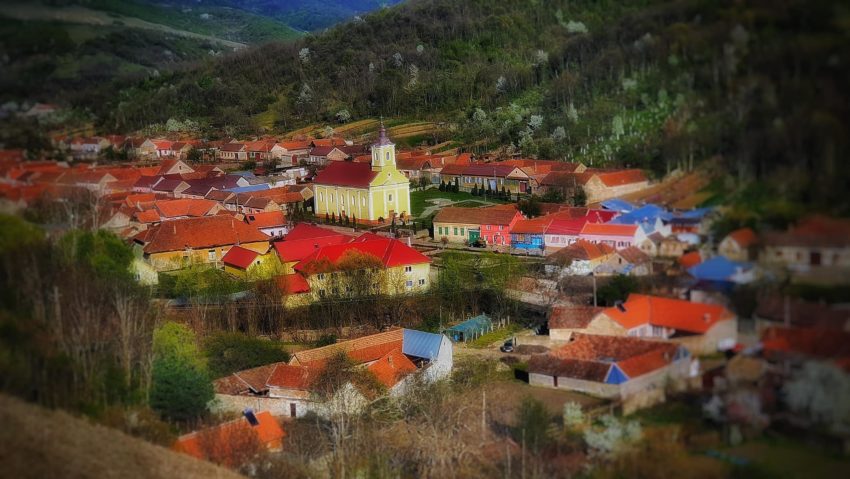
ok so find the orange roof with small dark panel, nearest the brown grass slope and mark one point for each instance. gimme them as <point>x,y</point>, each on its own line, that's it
<point>217,442</point>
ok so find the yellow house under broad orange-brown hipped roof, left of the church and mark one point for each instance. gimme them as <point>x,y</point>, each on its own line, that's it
<point>174,244</point>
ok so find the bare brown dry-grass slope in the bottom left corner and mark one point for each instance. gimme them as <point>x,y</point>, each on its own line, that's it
<point>37,443</point>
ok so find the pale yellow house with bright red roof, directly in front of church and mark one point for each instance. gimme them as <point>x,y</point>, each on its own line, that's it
<point>368,265</point>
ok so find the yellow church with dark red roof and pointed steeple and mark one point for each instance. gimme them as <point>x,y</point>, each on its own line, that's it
<point>367,191</point>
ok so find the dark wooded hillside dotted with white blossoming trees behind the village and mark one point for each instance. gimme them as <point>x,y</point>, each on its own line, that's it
<point>643,83</point>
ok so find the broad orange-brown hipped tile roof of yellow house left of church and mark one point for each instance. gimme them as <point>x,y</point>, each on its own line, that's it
<point>196,233</point>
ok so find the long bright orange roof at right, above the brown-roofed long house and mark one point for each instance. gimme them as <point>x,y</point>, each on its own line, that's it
<point>677,314</point>
